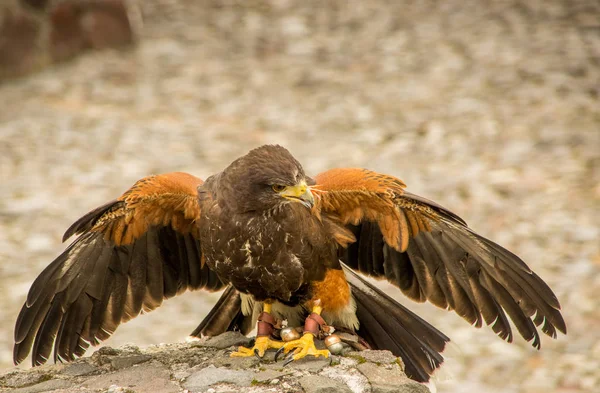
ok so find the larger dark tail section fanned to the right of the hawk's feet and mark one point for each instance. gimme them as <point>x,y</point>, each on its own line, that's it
<point>386,324</point>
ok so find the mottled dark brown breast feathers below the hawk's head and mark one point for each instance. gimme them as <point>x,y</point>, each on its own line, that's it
<point>265,251</point>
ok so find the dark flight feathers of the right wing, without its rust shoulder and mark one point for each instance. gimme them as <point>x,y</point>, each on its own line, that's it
<point>454,268</point>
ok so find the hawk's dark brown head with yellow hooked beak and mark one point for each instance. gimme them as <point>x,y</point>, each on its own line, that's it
<point>264,179</point>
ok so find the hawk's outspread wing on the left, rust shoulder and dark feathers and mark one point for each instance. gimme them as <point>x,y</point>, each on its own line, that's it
<point>131,254</point>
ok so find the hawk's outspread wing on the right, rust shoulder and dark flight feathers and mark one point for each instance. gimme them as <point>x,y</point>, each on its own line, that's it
<point>431,254</point>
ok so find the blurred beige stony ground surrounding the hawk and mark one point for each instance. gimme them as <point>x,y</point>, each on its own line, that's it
<point>491,108</point>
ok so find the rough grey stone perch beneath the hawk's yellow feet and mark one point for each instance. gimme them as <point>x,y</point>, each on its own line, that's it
<point>205,366</point>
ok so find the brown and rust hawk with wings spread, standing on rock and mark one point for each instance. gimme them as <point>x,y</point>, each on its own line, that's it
<point>285,247</point>
